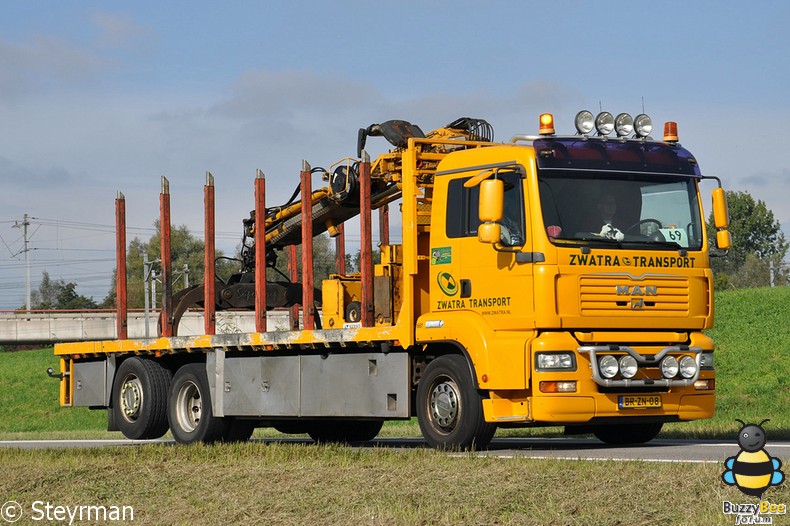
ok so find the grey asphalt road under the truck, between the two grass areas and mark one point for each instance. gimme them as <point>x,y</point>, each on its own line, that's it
<point>660,450</point>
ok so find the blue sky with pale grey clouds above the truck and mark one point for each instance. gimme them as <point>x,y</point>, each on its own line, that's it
<point>98,97</point>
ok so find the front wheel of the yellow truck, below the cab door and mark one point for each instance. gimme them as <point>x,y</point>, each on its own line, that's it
<point>449,408</point>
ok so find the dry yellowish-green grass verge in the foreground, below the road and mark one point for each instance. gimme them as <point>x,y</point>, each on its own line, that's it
<point>281,484</point>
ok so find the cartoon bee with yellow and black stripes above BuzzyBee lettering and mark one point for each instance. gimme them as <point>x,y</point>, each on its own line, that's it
<point>752,470</point>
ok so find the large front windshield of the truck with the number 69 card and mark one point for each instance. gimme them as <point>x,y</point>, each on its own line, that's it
<point>621,209</point>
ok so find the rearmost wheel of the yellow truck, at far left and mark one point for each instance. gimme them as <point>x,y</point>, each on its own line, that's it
<point>139,399</point>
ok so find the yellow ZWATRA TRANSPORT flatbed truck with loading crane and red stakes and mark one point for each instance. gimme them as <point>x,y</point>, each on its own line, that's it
<point>546,281</point>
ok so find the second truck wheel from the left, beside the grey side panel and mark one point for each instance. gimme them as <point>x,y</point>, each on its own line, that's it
<point>189,408</point>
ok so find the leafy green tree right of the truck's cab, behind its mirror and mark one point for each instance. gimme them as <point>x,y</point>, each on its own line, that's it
<point>758,244</point>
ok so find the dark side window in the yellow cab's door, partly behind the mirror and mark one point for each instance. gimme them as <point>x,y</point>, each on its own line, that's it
<point>462,208</point>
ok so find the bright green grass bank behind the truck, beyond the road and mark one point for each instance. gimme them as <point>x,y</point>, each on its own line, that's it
<point>752,335</point>
